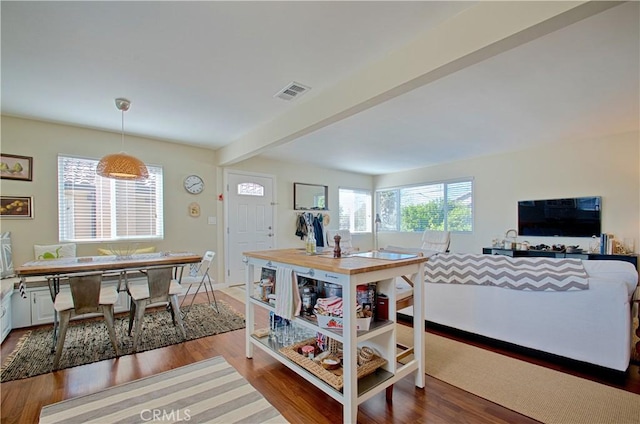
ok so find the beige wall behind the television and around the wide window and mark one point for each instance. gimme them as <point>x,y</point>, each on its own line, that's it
<point>604,166</point>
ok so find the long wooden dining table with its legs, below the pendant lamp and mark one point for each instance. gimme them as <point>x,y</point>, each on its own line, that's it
<point>56,269</point>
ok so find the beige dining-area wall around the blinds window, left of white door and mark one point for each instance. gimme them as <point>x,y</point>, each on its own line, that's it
<point>44,141</point>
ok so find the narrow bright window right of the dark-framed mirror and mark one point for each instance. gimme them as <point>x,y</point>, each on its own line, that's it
<point>354,207</point>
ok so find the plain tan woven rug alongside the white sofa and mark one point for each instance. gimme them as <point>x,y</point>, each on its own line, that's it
<point>540,393</point>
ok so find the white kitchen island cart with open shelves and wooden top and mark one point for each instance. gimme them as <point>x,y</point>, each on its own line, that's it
<point>348,273</point>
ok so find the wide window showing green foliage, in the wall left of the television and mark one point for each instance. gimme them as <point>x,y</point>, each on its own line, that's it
<point>444,206</point>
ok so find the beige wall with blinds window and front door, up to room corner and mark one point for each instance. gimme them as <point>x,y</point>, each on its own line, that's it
<point>43,141</point>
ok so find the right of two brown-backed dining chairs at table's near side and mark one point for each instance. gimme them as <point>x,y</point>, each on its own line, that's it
<point>160,288</point>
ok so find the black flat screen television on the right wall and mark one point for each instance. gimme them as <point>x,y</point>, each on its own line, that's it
<point>571,217</point>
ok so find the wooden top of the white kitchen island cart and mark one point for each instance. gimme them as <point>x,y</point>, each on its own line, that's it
<point>352,264</point>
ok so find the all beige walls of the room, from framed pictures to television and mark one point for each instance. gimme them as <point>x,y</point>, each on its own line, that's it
<point>608,167</point>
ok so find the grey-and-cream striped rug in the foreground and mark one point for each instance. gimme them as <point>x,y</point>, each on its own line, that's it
<point>208,391</point>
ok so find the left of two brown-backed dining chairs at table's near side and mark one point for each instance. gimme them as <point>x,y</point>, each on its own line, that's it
<point>86,295</point>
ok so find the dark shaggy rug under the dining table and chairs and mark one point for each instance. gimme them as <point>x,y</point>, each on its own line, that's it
<point>88,341</point>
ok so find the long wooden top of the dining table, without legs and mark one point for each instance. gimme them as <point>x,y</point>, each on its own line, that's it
<point>104,263</point>
